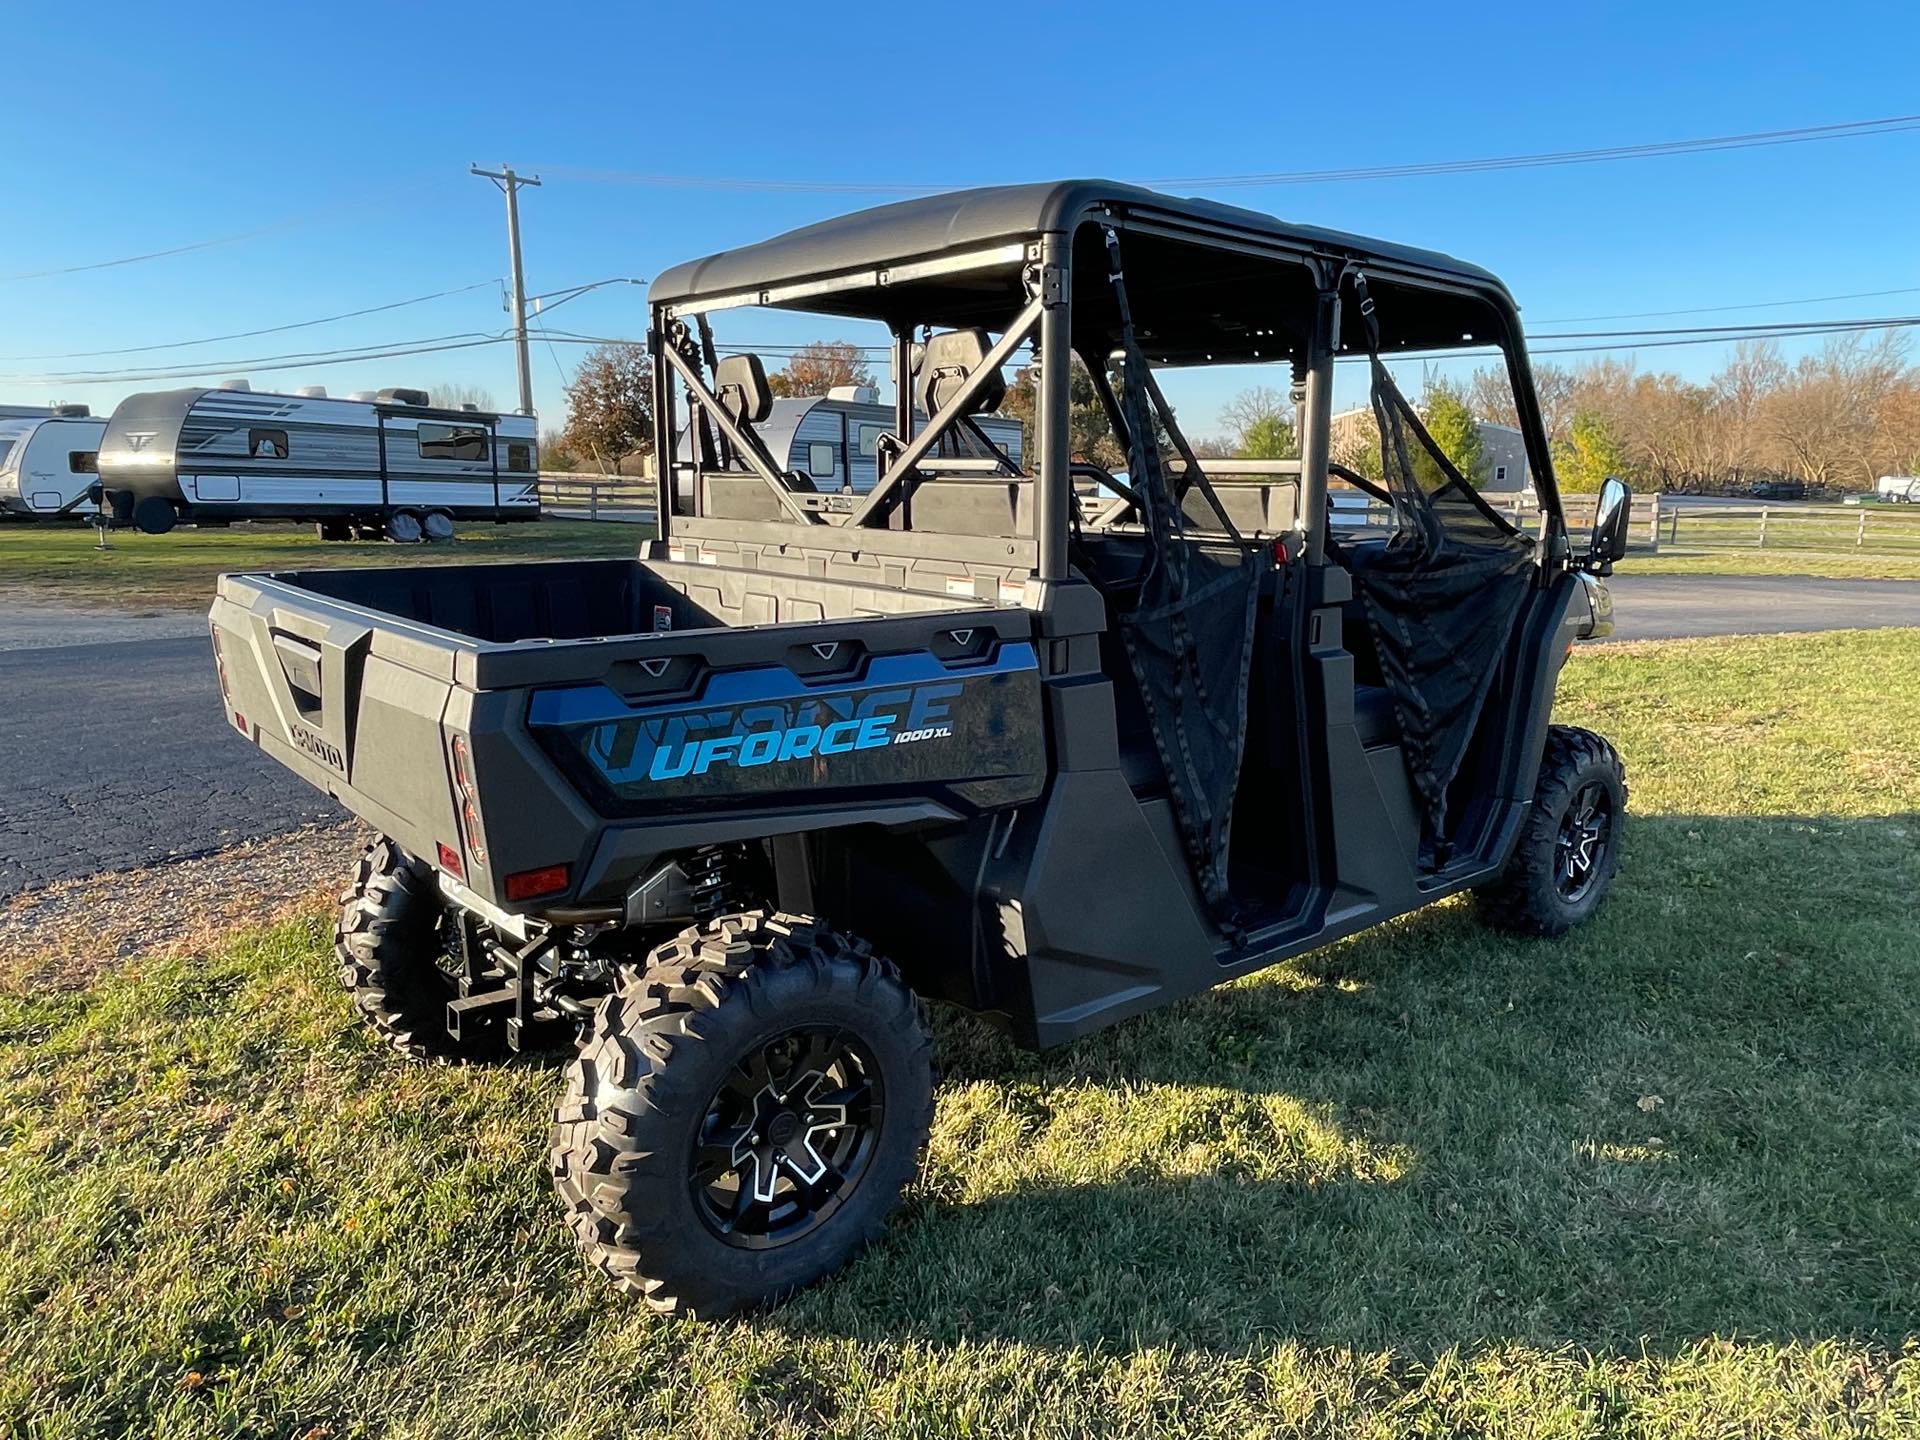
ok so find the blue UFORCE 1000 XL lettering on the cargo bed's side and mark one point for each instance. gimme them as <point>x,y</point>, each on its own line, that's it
<point>775,734</point>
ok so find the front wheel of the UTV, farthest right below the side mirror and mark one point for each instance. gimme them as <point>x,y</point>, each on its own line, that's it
<point>1570,844</point>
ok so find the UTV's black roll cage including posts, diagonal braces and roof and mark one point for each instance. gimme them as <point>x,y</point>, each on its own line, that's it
<point>980,276</point>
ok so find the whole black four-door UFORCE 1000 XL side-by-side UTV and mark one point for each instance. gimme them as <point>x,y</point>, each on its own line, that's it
<point>1044,740</point>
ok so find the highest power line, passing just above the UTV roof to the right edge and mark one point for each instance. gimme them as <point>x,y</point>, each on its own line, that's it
<point>1537,160</point>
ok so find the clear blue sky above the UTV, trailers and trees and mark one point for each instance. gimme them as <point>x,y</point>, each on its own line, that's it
<point>348,130</point>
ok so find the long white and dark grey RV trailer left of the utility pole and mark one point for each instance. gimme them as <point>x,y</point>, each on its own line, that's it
<point>393,464</point>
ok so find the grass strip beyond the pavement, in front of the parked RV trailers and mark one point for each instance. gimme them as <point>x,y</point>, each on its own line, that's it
<point>176,571</point>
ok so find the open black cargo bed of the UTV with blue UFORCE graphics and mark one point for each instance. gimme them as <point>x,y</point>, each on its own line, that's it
<point>508,719</point>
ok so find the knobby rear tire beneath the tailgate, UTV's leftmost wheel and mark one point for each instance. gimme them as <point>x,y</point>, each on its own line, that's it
<point>395,944</point>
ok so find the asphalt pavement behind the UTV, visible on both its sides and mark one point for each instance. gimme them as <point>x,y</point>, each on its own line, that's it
<point>114,752</point>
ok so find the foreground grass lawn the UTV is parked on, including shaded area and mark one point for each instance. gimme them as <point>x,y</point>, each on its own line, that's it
<point>1652,1180</point>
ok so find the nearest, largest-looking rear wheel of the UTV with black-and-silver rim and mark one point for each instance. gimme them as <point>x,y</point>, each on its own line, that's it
<point>744,1115</point>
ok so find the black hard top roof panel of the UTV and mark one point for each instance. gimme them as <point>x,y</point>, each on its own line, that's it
<point>974,220</point>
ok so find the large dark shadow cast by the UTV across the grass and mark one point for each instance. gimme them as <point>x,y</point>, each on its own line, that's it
<point>1694,1116</point>
